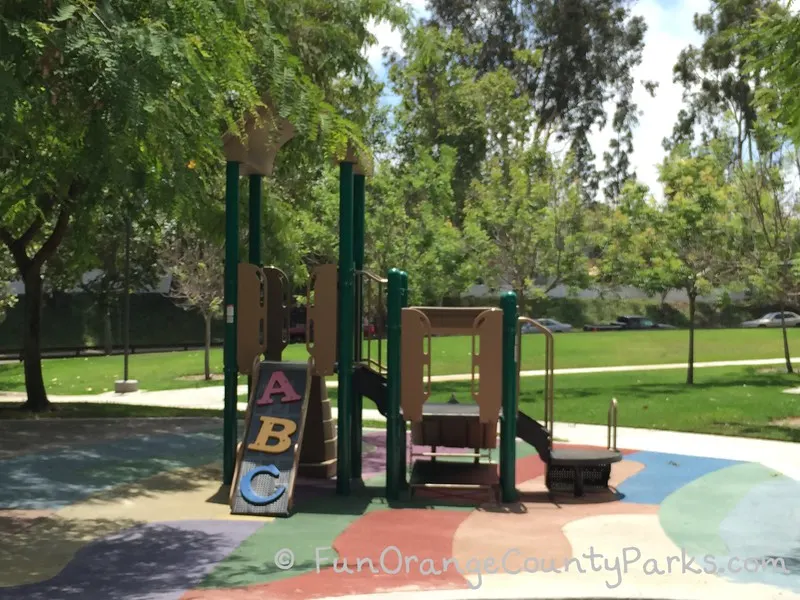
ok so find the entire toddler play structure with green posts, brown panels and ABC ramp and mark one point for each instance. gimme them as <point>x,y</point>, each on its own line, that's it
<point>288,424</point>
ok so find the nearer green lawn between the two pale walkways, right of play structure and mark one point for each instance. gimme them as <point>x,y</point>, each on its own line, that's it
<point>741,401</point>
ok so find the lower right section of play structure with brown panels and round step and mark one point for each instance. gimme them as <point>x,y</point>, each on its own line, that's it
<point>496,363</point>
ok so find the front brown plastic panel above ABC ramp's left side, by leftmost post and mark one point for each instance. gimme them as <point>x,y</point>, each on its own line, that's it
<point>251,325</point>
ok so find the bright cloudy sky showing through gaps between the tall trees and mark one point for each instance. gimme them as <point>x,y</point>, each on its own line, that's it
<point>669,30</point>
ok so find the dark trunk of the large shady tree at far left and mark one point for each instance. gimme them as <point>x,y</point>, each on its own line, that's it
<point>32,342</point>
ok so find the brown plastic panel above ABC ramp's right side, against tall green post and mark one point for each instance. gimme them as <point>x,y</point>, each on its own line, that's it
<point>321,318</point>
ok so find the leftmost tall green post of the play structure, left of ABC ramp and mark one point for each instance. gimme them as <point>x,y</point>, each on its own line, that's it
<point>230,426</point>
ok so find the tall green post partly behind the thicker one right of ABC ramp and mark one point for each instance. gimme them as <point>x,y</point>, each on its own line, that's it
<point>359,198</point>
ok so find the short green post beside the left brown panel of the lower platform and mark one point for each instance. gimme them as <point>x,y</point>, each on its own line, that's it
<point>395,456</point>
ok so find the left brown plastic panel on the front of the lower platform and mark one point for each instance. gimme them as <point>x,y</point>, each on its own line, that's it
<point>415,359</point>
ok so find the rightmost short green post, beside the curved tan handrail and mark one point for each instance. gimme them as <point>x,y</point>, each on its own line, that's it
<point>508,424</point>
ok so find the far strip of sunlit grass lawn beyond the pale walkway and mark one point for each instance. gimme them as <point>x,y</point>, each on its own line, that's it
<point>173,370</point>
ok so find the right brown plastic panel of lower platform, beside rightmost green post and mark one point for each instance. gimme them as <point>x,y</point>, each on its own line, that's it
<point>487,360</point>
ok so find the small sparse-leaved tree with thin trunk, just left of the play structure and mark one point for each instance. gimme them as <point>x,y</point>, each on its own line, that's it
<point>197,268</point>
